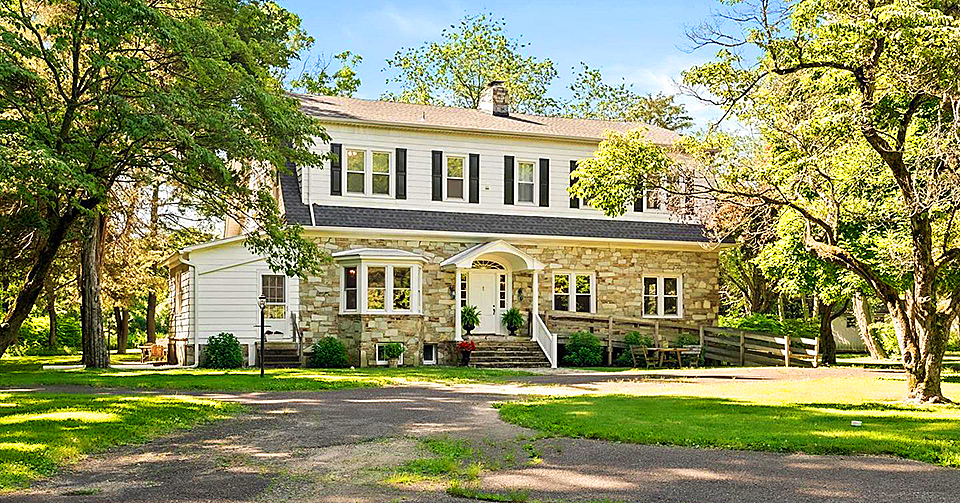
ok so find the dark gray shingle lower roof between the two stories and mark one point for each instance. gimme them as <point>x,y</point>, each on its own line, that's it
<point>485,223</point>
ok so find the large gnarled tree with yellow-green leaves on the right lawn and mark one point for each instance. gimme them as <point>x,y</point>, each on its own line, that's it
<point>856,105</point>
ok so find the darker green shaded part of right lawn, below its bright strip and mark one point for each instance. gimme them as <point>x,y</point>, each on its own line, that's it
<point>924,433</point>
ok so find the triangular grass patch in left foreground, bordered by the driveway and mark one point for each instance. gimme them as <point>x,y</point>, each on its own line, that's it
<point>40,432</point>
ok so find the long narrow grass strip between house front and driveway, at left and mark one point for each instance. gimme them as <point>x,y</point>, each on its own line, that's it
<point>17,372</point>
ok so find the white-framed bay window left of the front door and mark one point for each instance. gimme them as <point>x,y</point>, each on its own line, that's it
<point>380,288</point>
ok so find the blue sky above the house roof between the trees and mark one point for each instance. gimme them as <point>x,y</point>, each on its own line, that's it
<point>640,41</point>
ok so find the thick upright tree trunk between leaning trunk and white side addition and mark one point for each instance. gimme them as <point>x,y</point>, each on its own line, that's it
<point>95,354</point>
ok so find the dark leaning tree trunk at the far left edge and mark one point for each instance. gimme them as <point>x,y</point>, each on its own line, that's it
<point>27,297</point>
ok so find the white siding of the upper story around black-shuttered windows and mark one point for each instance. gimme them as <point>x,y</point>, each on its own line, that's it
<point>492,149</point>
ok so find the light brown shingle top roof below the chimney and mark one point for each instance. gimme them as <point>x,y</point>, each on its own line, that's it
<point>340,109</point>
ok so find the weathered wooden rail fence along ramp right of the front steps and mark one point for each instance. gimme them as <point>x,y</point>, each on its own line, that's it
<point>720,344</point>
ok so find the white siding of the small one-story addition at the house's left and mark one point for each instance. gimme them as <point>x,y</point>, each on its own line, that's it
<point>228,284</point>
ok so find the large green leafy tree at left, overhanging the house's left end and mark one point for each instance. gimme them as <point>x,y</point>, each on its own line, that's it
<point>185,93</point>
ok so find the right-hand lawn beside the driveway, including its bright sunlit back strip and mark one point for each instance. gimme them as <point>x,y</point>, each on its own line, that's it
<point>810,416</point>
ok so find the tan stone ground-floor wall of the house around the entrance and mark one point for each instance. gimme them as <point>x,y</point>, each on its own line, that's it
<point>618,270</point>
